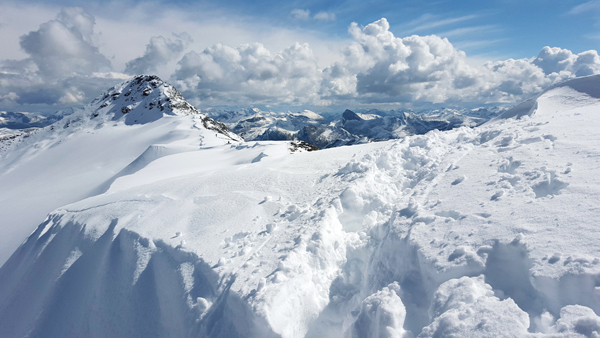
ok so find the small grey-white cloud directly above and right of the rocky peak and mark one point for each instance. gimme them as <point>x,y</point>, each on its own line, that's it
<point>158,52</point>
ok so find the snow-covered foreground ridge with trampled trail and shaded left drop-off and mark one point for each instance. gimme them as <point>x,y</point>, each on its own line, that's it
<point>484,232</point>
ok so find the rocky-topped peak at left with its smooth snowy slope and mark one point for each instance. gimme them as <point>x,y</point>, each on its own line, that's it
<point>82,153</point>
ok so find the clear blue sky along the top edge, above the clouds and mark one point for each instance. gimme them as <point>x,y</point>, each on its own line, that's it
<point>509,28</point>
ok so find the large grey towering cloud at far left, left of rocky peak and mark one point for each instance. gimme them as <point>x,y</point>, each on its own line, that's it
<point>62,58</point>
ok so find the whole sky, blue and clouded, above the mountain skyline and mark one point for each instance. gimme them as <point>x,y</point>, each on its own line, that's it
<point>296,55</point>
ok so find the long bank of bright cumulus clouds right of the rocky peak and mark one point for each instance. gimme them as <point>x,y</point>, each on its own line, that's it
<point>377,68</point>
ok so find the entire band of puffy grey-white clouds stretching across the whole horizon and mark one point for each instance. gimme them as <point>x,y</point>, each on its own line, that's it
<point>65,67</point>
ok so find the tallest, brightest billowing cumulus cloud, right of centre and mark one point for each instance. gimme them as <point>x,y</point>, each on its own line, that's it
<point>379,66</point>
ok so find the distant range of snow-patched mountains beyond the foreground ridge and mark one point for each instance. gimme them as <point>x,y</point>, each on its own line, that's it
<point>349,127</point>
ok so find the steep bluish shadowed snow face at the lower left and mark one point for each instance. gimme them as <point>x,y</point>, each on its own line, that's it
<point>120,285</point>
